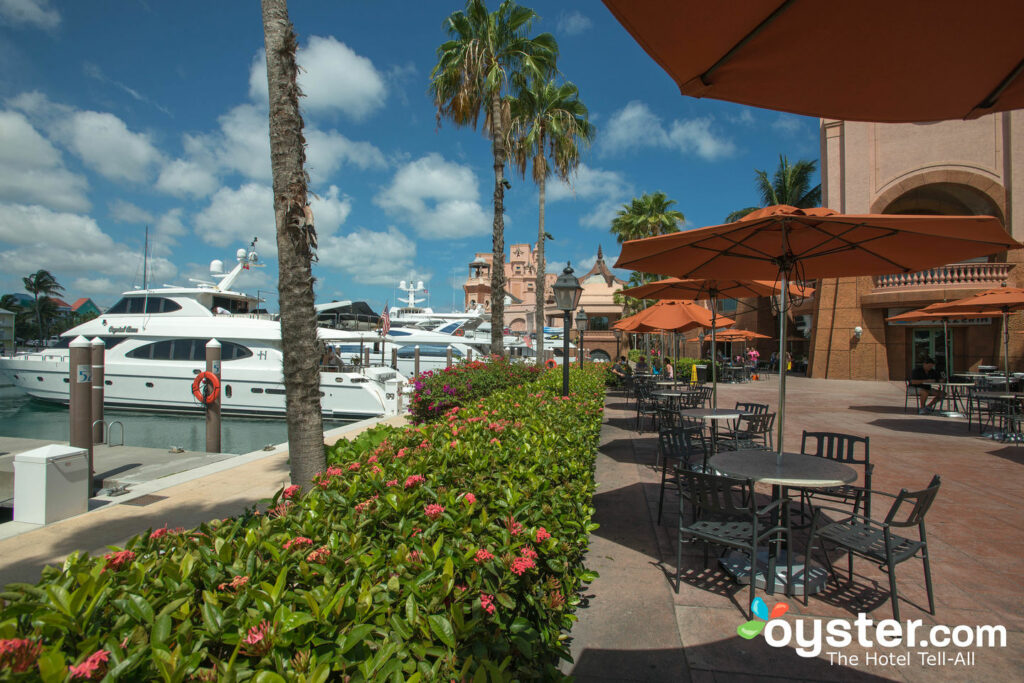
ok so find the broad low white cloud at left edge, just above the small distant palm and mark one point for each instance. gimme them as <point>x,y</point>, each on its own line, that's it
<point>38,238</point>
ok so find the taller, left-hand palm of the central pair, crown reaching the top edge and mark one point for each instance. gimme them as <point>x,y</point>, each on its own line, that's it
<point>475,73</point>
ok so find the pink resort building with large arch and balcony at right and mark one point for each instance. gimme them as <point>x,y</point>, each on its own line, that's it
<point>945,168</point>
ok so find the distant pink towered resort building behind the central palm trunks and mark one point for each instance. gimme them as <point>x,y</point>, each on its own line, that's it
<point>600,286</point>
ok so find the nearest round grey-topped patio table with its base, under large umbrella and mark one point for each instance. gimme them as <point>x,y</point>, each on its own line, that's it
<point>782,472</point>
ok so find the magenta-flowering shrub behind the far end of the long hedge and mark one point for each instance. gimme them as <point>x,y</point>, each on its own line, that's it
<point>438,393</point>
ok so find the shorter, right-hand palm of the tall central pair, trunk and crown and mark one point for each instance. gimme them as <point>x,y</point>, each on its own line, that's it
<point>547,120</point>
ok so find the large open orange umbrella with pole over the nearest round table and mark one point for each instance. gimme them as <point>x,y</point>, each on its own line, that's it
<point>805,244</point>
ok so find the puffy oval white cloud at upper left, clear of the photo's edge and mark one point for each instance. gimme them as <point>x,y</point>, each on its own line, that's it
<point>105,144</point>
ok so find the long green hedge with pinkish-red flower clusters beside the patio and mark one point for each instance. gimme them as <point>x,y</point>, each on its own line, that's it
<point>452,550</point>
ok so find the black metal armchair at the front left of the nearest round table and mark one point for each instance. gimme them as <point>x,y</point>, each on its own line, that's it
<point>727,515</point>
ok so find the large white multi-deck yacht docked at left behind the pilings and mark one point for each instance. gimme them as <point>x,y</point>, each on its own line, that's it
<point>156,345</point>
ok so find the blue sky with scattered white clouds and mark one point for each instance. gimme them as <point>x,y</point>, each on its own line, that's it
<point>117,116</point>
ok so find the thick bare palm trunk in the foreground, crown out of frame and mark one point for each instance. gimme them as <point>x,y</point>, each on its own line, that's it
<point>296,240</point>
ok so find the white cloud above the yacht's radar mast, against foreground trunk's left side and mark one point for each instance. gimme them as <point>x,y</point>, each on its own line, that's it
<point>234,217</point>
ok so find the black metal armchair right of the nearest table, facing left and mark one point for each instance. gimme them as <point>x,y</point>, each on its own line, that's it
<point>875,541</point>
